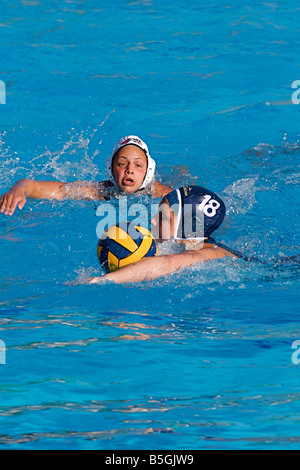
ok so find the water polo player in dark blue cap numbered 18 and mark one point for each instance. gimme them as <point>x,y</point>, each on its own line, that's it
<point>188,215</point>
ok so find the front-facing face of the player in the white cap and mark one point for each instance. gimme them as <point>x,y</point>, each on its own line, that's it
<point>129,168</point>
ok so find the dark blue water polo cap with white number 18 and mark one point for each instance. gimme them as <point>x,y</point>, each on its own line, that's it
<point>199,212</point>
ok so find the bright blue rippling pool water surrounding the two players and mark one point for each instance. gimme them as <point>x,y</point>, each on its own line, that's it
<point>199,360</point>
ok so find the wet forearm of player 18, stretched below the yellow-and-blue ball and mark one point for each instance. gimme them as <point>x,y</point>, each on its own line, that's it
<point>151,268</point>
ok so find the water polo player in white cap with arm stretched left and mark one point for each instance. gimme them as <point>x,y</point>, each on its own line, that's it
<point>130,170</point>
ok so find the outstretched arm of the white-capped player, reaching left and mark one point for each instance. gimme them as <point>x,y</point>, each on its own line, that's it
<point>26,188</point>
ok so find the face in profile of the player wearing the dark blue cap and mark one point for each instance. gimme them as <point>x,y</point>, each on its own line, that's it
<point>163,223</point>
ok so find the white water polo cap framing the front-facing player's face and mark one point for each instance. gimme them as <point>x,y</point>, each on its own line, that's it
<point>132,140</point>
